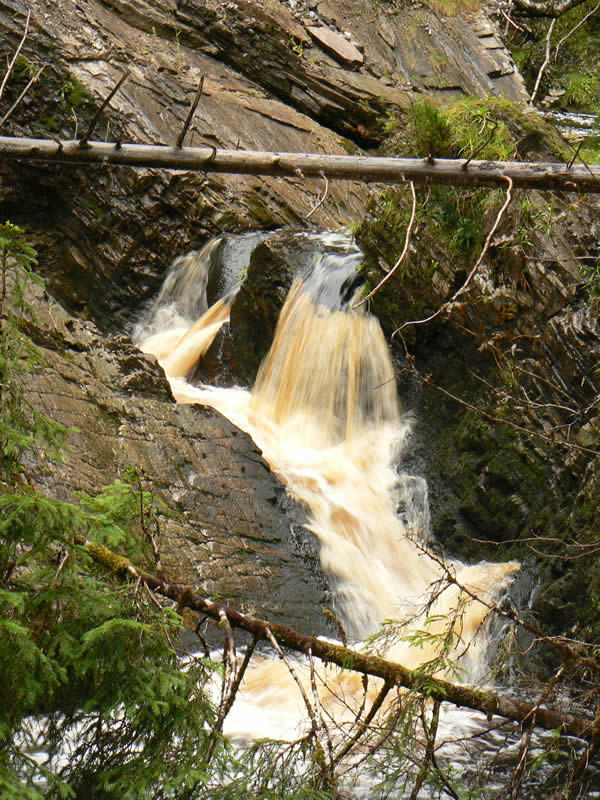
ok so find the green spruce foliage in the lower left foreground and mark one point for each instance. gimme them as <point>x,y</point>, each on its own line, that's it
<point>93,698</point>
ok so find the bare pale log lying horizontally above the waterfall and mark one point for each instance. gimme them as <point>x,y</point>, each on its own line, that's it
<point>525,175</point>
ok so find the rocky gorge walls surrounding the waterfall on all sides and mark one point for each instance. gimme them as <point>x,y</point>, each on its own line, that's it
<point>315,77</point>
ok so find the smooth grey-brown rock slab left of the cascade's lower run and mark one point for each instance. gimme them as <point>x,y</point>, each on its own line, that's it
<point>230,529</point>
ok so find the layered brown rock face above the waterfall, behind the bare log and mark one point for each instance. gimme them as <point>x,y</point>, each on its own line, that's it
<point>106,236</point>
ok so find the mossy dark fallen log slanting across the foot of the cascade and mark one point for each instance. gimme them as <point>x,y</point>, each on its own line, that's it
<point>485,701</point>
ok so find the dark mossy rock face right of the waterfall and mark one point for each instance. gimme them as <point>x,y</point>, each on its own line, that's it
<point>504,382</point>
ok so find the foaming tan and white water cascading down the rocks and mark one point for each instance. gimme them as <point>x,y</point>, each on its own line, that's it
<point>325,413</point>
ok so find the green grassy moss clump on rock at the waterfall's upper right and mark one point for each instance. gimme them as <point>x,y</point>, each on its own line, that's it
<point>451,222</point>
